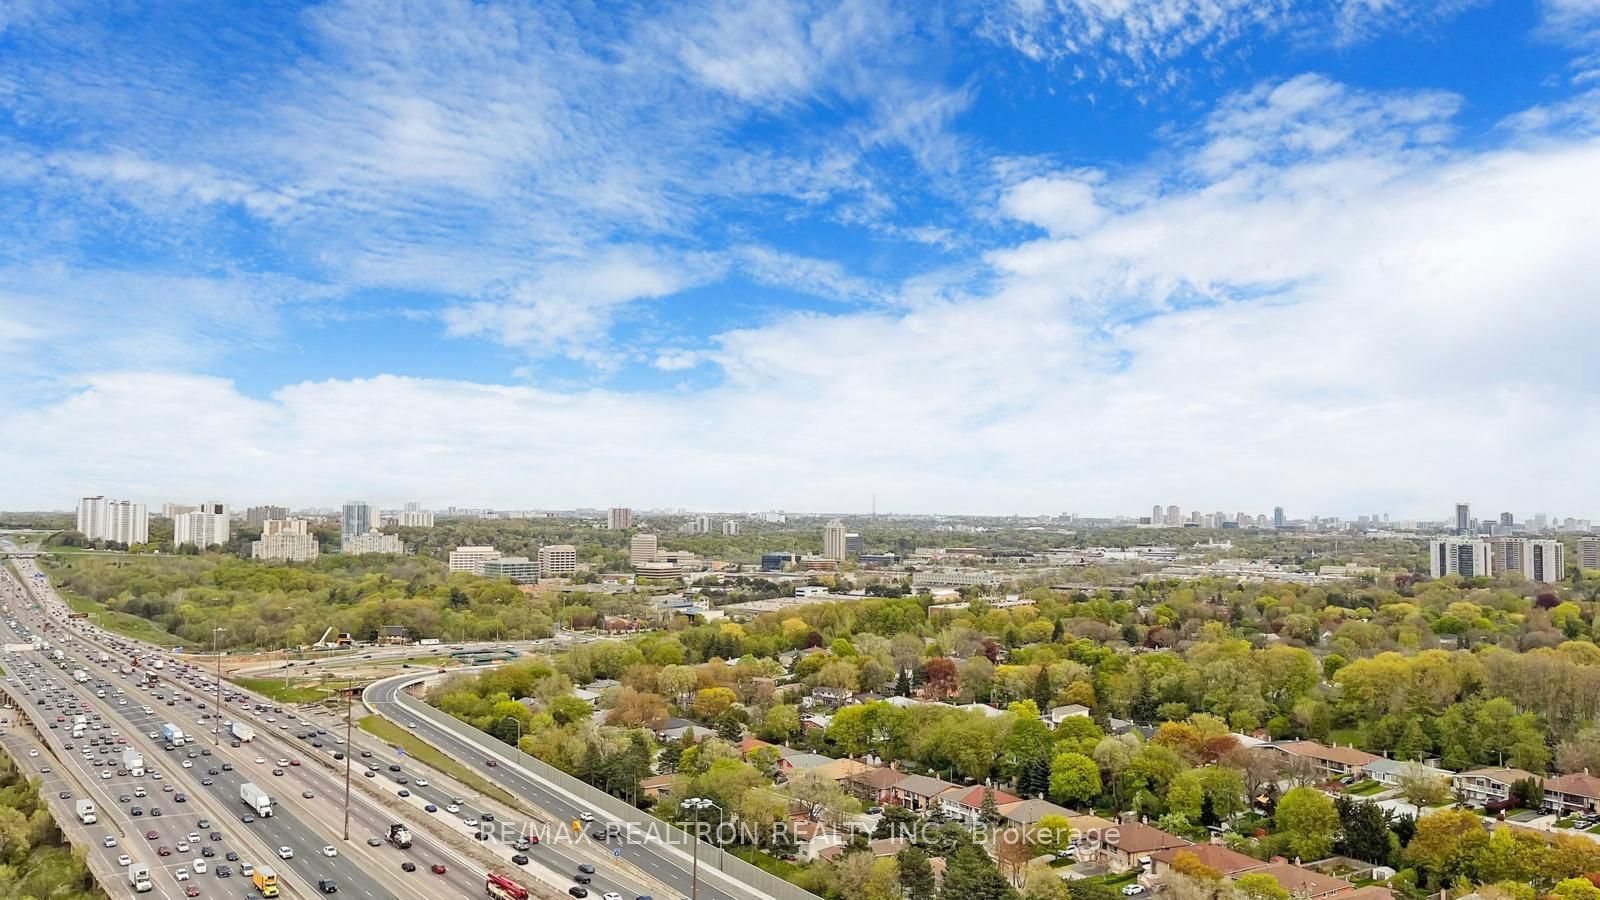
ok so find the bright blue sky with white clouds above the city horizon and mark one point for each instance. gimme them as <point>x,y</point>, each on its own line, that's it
<point>1033,255</point>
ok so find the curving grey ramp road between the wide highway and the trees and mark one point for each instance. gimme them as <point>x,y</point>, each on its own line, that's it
<point>671,866</point>
